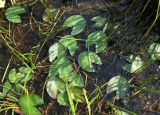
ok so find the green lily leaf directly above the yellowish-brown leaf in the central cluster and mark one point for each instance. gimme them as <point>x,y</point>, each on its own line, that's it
<point>77,81</point>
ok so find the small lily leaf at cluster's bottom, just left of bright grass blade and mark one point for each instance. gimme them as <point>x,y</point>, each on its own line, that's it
<point>63,99</point>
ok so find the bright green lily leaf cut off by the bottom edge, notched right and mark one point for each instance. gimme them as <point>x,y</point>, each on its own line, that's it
<point>28,104</point>
